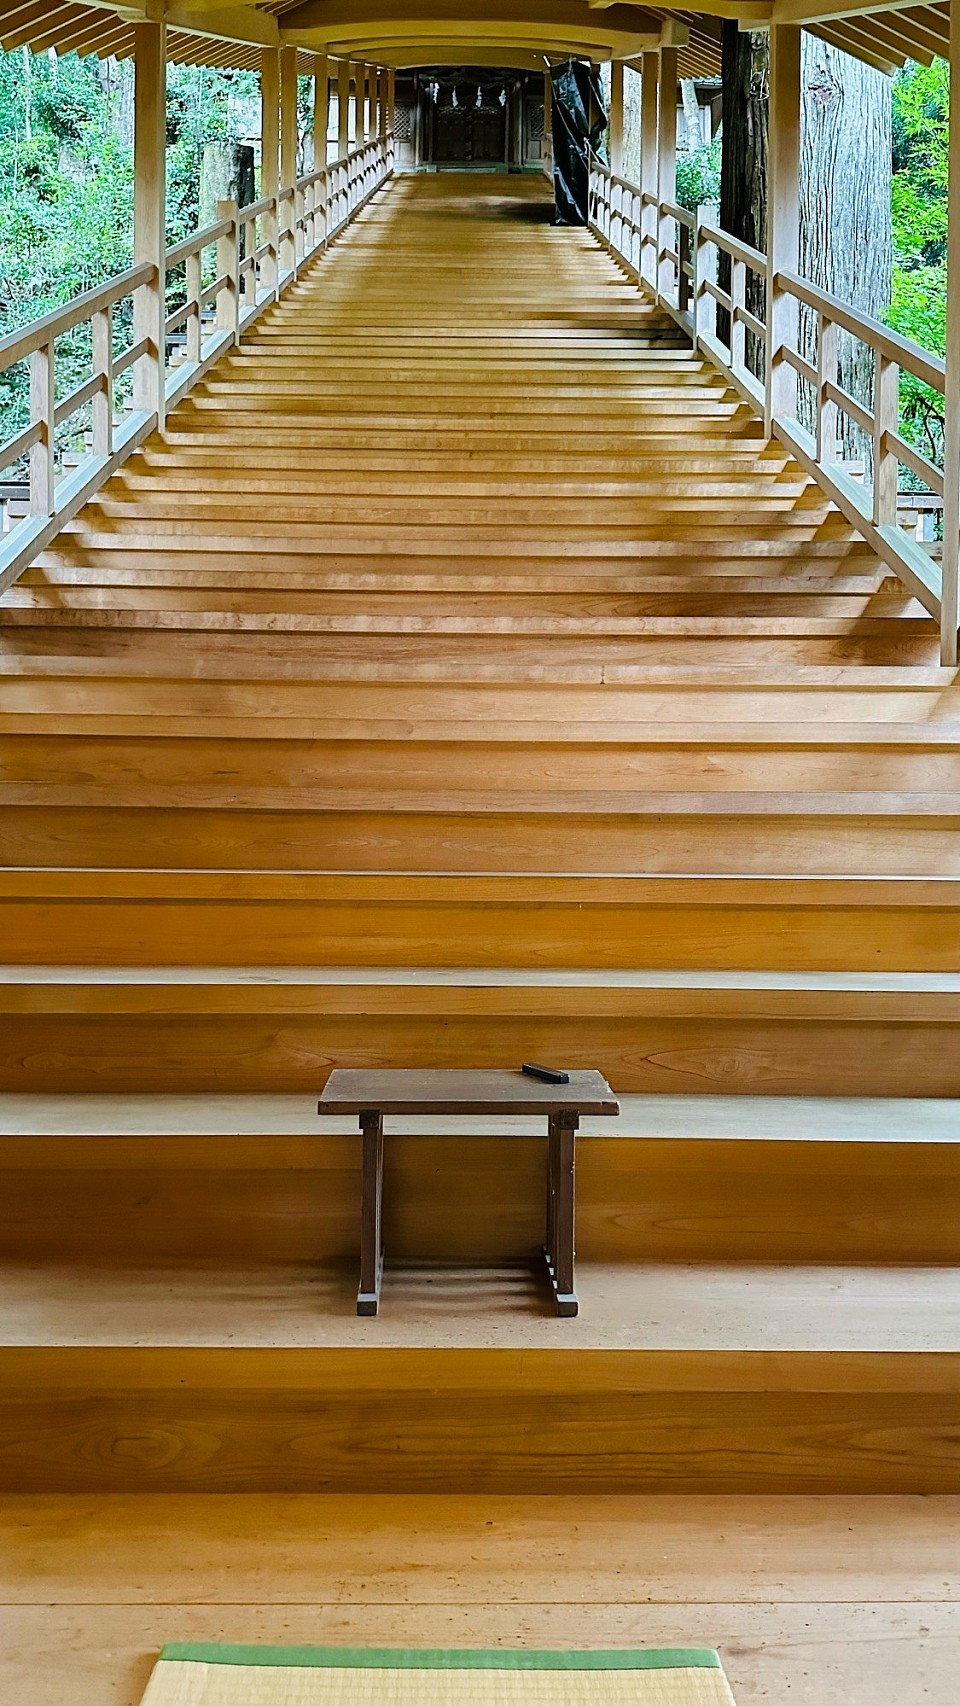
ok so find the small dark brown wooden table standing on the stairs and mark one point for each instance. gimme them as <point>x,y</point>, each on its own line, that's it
<point>480,1094</point>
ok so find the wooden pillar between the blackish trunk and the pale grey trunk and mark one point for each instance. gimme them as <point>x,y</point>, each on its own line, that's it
<point>784,219</point>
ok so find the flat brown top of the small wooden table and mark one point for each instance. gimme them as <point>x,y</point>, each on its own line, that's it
<point>463,1093</point>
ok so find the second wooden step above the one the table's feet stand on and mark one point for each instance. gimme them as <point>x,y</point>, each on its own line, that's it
<point>195,1030</point>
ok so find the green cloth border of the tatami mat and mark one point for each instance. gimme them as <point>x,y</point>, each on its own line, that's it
<point>444,1657</point>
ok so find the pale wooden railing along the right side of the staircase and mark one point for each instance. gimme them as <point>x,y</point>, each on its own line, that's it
<point>683,279</point>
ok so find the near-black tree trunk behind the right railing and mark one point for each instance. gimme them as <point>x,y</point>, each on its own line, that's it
<point>746,61</point>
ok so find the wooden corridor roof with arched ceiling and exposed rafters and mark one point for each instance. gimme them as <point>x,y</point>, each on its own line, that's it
<point>231,33</point>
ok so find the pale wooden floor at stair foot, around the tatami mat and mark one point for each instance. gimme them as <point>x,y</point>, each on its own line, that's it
<point>811,1601</point>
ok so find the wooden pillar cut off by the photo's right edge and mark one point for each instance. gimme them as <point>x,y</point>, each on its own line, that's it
<point>951,601</point>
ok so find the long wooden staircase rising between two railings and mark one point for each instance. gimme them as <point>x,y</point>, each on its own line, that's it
<point>461,678</point>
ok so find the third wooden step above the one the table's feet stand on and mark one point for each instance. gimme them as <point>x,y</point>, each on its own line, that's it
<point>313,919</point>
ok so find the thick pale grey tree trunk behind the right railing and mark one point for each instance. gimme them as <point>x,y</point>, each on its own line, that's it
<point>845,211</point>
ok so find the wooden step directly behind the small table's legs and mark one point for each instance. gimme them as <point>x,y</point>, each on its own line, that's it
<point>673,1180</point>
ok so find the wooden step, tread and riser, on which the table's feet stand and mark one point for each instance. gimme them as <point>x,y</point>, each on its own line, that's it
<point>260,1379</point>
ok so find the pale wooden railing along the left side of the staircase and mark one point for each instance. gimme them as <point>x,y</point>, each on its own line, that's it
<point>246,279</point>
